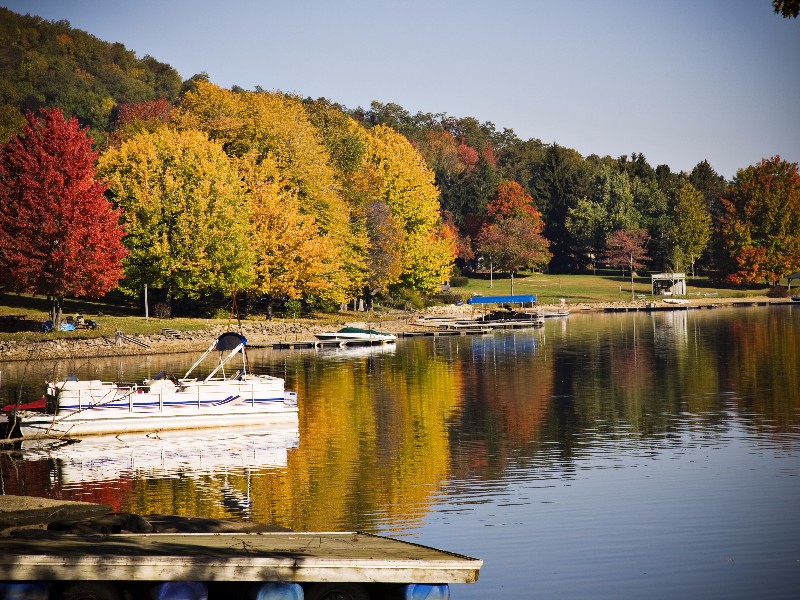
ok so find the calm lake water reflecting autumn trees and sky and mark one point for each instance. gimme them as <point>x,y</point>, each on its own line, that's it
<point>636,455</point>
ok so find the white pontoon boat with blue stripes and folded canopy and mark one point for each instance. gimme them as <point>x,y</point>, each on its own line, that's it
<point>229,395</point>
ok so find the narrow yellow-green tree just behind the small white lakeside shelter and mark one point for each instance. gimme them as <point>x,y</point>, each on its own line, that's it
<point>689,230</point>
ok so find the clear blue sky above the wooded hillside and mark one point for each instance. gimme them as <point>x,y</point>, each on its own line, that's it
<point>678,80</point>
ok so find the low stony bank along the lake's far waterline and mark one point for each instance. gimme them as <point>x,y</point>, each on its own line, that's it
<point>260,333</point>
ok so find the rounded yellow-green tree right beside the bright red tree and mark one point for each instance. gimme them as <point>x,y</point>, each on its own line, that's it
<point>186,216</point>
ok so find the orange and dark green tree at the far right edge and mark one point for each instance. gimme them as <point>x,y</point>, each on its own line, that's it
<point>761,222</point>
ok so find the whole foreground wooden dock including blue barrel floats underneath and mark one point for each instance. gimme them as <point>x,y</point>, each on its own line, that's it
<point>277,564</point>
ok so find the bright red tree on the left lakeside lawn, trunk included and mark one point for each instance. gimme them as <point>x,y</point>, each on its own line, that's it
<point>59,235</point>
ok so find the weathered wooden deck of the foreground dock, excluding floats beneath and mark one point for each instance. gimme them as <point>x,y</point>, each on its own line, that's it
<point>279,556</point>
